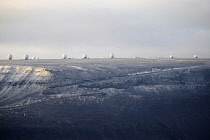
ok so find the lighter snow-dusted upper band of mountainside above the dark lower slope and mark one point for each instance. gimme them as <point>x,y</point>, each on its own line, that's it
<point>27,82</point>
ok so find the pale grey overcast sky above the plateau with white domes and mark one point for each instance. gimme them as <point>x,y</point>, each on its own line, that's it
<point>49,28</point>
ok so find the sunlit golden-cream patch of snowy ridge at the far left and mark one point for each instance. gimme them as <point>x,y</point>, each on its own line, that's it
<point>39,71</point>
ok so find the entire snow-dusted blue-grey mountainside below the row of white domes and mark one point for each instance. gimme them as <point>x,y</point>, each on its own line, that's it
<point>105,99</point>
